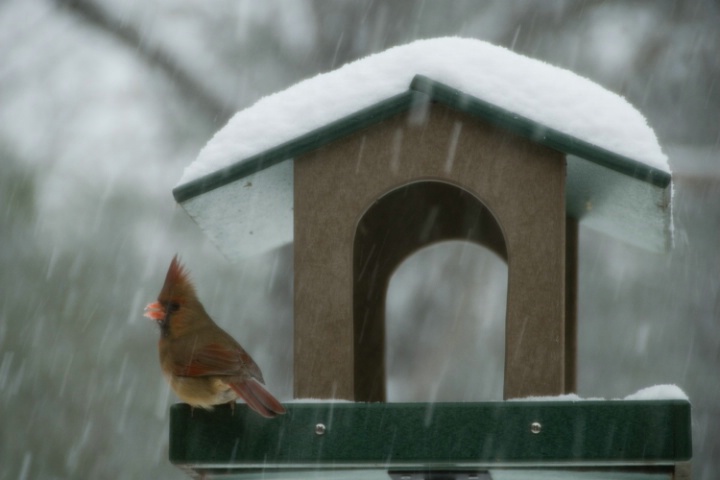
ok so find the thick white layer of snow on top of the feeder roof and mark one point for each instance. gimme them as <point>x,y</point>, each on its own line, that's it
<point>556,98</point>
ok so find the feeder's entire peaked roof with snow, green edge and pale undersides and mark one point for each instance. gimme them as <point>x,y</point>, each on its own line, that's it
<point>623,188</point>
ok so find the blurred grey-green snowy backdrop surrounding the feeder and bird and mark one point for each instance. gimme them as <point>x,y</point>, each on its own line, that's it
<point>104,102</point>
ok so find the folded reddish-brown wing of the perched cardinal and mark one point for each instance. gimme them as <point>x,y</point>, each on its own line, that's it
<point>217,359</point>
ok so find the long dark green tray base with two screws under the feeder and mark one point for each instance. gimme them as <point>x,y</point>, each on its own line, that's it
<point>432,435</point>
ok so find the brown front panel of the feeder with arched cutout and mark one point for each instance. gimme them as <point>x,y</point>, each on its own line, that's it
<point>519,182</point>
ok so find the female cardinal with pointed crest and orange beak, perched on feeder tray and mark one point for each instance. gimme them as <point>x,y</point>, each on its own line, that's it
<point>204,365</point>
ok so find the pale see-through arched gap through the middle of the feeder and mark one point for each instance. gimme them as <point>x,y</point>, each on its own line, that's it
<point>445,325</point>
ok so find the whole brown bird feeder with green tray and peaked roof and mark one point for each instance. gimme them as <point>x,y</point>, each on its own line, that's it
<point>357,195</point>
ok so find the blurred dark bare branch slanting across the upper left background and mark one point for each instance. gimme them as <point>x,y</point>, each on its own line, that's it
<point>206,101</point>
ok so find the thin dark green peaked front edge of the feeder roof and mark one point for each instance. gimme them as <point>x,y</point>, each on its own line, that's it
<point>422,89</point>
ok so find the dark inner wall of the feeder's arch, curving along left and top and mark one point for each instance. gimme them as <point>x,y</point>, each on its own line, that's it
<point>397,225</point>
